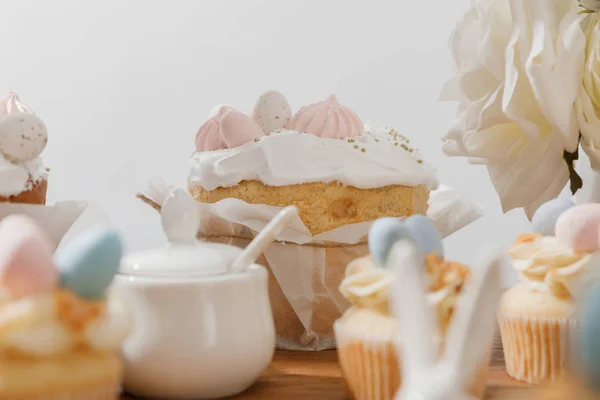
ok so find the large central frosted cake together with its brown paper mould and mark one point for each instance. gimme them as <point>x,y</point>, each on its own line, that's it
<point>336,170</point>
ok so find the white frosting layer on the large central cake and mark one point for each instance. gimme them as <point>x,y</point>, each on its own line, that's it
<point>379,157</point>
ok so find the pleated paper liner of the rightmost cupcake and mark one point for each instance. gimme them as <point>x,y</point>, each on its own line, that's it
<point>536,348</point>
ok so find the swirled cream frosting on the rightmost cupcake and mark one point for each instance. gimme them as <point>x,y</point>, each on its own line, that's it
<point>547,266</point>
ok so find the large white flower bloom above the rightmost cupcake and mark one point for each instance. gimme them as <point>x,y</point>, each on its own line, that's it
<point>519,69</point>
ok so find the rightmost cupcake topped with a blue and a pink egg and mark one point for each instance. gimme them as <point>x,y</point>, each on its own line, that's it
<point>538,316</point>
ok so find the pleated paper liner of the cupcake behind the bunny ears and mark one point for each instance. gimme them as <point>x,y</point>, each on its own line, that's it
<point>371,369</point>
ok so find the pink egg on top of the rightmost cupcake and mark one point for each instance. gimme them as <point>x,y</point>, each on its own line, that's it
<point>579,228</point>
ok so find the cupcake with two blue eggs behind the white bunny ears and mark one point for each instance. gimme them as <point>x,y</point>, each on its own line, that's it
<point>367,333</point>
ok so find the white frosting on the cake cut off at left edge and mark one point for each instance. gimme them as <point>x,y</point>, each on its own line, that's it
<point>18,178</point>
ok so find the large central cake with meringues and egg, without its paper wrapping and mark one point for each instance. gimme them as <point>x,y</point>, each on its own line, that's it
<point>322,159</point>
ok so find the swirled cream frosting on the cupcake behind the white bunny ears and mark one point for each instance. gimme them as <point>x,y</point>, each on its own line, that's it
<point>367,285</point>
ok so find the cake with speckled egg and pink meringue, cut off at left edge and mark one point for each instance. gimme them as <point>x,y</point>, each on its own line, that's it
<point>23,137</point>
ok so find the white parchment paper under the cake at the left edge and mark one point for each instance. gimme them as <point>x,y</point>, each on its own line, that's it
<point>56,220</point>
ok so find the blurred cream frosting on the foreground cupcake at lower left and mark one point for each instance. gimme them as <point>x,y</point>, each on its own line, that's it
<point>59,322</point>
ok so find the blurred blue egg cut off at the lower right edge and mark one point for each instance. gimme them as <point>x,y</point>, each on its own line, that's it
<point>589,341</point>
